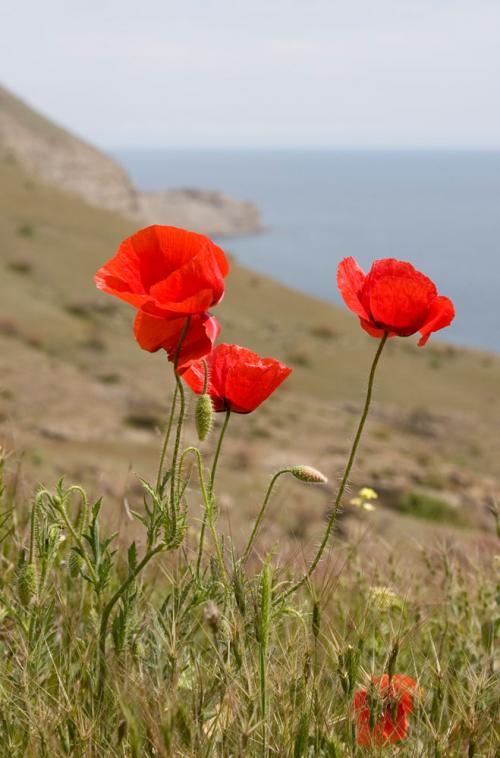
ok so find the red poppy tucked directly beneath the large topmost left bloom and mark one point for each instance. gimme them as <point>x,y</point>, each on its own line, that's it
<point>153,333</point>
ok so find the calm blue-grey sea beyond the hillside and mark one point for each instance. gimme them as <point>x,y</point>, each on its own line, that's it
<point>438,209</point>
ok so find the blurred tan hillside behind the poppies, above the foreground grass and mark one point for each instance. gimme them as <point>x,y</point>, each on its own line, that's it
<point>79,398</point>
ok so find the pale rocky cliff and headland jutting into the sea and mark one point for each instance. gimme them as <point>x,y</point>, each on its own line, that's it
<point>66,161</point>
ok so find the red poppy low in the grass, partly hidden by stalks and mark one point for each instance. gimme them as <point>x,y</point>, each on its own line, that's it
<point>396,700</point>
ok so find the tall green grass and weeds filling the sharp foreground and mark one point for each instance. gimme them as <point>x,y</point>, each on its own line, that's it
<point>223,665</point>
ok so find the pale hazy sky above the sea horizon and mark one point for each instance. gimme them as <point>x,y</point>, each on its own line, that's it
<point>357,73</point>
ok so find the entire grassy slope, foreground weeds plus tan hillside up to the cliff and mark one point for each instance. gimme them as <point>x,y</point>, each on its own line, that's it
<point>220,663</point>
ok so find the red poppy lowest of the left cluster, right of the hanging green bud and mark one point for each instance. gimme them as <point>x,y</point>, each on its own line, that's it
<point>238,380</point>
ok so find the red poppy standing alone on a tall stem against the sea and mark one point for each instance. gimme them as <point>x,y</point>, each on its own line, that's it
<point>393,297</point>
